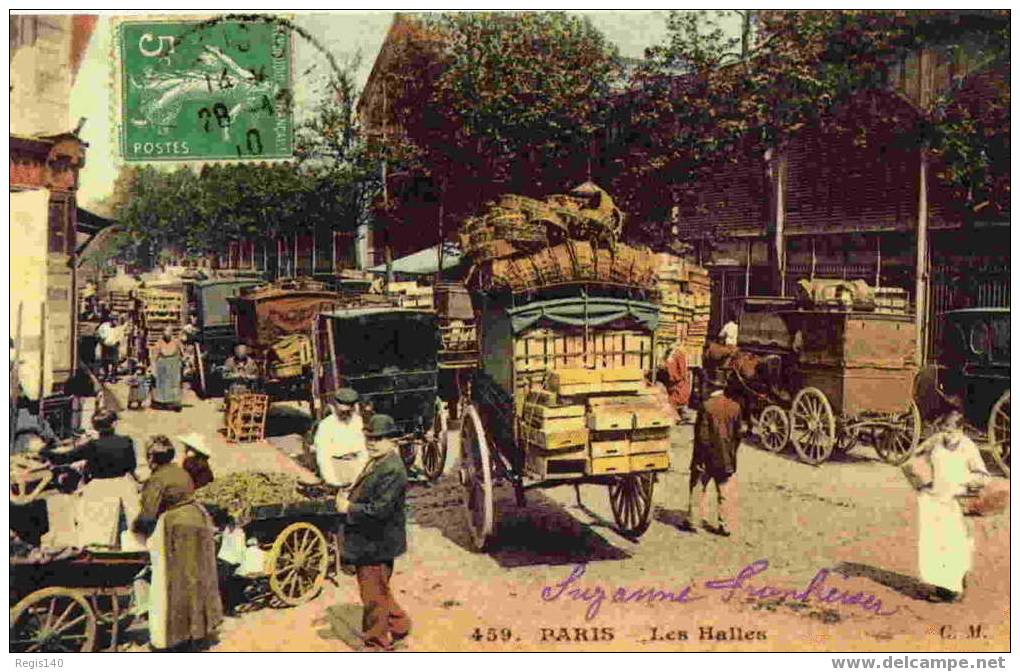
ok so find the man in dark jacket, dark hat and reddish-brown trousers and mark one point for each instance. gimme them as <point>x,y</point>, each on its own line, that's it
<point>376,534</point>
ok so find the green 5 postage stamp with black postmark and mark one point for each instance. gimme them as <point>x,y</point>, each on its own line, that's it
<point>206,90</point>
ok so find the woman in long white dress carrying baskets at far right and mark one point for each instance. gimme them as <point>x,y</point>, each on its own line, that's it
<point>946,543</point>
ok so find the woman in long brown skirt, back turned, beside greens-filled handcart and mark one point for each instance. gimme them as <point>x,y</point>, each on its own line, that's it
<point>185,608</point>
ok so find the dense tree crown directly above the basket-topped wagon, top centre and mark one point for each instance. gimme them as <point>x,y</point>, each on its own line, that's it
<point>494,102</point>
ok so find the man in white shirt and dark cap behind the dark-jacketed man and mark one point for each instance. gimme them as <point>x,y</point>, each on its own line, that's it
<point>340,441</point>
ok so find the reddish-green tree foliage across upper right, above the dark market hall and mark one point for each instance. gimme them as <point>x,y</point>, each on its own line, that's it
<point>699,100</point>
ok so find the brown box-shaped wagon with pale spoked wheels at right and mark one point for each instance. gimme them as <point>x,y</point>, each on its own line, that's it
<point>852,379</point>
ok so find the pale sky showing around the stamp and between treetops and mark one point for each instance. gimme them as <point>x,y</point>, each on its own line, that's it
<point>347,35</point>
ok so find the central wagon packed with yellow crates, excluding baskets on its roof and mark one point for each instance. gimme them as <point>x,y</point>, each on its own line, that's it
<point>562,398</point>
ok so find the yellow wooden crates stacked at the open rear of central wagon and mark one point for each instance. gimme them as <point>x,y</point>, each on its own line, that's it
<point>591,423</point>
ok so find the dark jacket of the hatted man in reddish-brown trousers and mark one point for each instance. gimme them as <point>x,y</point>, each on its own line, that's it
<point>377,527</point>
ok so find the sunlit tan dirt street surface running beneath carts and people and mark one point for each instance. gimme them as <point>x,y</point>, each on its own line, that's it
<point>855,518</point>
